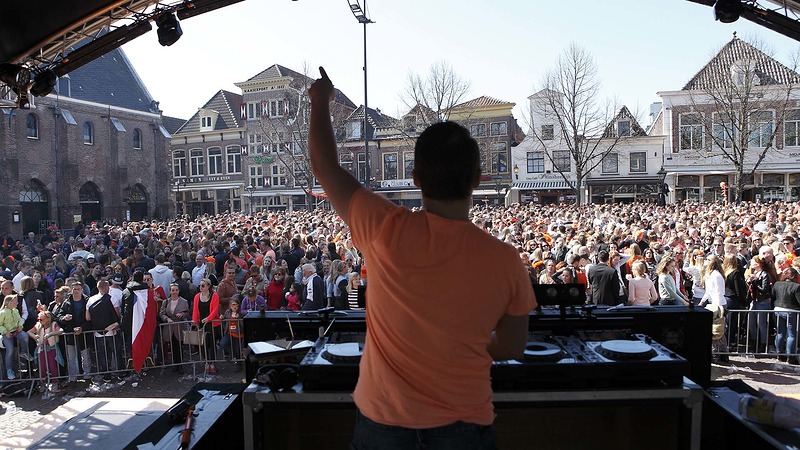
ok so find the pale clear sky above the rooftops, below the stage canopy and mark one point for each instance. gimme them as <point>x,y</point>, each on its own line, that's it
<point>501,46</point>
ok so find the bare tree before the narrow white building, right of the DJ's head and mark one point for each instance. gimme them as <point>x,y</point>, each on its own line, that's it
<point>568,122</point>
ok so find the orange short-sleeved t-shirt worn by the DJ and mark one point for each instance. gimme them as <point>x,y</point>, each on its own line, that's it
<point>437,288</point>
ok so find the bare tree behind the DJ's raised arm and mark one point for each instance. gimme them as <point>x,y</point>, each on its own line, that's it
<point>285,134</point>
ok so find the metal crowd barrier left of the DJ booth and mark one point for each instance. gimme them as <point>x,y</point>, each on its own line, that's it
<point>107,357</point>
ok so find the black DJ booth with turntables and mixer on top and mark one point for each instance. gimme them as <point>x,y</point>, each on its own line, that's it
<point>590,377</point>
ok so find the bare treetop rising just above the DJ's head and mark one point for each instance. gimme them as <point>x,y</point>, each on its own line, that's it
<point>436,93</point>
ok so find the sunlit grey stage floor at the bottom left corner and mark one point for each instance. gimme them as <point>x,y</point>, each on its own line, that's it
<point>90,421</point>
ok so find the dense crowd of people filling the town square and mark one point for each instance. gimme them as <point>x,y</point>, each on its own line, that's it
<point>212,270</point>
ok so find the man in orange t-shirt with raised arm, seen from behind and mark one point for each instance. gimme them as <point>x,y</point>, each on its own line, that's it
<point>445,298</point>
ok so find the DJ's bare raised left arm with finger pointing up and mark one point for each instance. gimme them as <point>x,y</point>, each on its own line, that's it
<point>338,183</point>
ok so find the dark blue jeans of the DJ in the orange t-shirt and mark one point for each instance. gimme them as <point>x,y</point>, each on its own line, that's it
<point>456,436</point>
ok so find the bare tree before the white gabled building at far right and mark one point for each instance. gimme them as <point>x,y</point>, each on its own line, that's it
<point>736,103</point>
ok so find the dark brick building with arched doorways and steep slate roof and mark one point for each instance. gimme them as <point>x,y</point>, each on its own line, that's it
<point>92,150</point>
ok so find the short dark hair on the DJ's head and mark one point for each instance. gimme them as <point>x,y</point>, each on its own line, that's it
<point>446,160</point>
